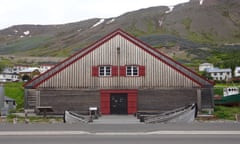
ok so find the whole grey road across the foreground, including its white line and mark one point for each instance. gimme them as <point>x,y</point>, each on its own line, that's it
<point>195,133</point>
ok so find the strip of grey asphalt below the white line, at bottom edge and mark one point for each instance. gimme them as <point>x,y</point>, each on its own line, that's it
<point>146,139</point>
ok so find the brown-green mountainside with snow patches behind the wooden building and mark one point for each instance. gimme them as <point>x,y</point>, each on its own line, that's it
<point>190,32</point>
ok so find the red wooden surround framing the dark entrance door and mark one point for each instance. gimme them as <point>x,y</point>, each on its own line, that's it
<point>105,100</point>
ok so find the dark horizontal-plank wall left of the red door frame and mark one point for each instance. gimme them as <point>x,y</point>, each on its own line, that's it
<point>74,100</point>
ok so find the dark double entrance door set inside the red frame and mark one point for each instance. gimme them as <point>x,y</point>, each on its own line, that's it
<point>118,103</point>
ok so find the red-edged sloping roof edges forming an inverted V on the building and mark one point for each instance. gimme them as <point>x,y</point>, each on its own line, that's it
<point>167,60</point>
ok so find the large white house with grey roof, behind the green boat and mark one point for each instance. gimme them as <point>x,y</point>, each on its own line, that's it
<point>220,74</point>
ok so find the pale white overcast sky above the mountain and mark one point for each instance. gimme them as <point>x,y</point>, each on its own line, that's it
<point>14,12</point>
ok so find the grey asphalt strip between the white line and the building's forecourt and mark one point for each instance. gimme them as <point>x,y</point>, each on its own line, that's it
<point>225,126</point>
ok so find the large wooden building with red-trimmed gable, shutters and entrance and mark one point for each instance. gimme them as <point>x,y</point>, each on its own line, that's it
<point>120,75</point>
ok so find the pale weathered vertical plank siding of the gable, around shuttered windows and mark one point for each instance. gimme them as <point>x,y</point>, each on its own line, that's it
<point>79,74</point>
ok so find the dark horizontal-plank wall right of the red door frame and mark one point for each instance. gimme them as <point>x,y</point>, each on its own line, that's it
<point>165,99</point>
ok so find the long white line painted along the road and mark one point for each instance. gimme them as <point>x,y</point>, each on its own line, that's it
<point>46,133</point>
